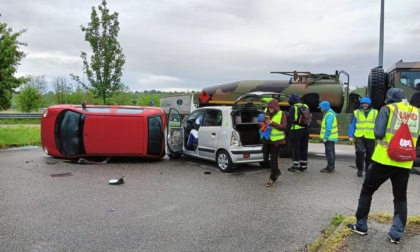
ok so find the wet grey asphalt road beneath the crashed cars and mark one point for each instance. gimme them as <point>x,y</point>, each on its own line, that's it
<point>51,204</point>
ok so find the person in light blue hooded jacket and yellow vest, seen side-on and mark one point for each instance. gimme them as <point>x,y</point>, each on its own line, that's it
<point>329,135</point>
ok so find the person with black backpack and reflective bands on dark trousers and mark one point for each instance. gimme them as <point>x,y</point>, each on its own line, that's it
<point>300,136</point>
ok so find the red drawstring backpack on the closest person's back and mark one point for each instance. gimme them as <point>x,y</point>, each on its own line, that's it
<point>401,147</point>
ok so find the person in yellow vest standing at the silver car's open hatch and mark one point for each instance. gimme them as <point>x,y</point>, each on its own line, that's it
<point>275,118</point>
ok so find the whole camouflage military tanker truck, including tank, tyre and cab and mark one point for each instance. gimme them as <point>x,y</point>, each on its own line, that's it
<point>313,88</point>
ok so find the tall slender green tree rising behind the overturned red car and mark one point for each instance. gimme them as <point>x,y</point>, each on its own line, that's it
<point>105,68</point>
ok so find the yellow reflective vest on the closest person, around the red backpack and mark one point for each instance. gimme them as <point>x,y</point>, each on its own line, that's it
<point>396,112</point>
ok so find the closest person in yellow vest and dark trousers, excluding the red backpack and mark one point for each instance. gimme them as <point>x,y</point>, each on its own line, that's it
<point>384,168</point>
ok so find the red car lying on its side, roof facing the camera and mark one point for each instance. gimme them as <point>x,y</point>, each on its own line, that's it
<point>72,131</point>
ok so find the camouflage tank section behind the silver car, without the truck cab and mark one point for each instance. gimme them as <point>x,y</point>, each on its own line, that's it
<point>312,88</point>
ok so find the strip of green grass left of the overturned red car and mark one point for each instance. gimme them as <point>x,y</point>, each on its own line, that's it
<point>19,135</point>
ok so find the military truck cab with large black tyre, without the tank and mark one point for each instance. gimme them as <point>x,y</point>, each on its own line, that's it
<point>404,75</point>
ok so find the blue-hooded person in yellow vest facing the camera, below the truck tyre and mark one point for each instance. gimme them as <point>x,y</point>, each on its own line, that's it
<point>361,133</point>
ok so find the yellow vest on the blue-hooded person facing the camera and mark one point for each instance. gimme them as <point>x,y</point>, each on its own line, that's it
<point>365,124</point>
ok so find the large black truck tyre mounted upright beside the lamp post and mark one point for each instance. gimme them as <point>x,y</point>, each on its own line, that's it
<point>377,87</point>
